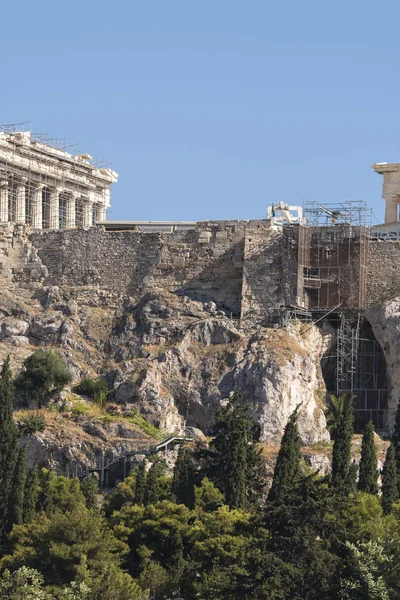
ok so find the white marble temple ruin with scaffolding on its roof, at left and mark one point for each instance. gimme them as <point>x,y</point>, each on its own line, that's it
<point>48,188</point>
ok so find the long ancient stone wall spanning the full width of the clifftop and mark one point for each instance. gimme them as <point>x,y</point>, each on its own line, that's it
<point>245,267</point>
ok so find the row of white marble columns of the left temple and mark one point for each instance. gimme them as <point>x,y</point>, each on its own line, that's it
<point>49,208</point>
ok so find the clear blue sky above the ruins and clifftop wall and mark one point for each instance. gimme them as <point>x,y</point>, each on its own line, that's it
<point>212,109</point>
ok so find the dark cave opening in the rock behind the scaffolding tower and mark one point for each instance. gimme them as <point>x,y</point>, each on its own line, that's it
<point>355,365</point>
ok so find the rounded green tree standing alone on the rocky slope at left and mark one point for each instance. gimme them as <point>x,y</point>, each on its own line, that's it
<point>43,371</point>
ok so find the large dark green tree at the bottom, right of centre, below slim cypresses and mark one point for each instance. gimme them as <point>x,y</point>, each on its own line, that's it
<point>302,555</point>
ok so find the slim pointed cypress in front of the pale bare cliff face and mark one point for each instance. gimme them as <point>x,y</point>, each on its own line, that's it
<point>287,467</point>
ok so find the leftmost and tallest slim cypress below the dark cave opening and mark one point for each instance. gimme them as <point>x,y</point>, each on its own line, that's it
<point>341,459</point>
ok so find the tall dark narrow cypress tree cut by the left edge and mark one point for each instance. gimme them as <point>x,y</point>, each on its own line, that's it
<point>8,445</point>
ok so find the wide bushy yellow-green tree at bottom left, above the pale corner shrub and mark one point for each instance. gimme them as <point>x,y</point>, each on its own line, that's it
<point>77,545</point>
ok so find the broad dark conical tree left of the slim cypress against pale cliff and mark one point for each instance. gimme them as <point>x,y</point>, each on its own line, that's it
<point>232,461</point>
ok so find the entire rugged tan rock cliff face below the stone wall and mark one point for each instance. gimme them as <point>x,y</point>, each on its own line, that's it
<point>171,358</point>
